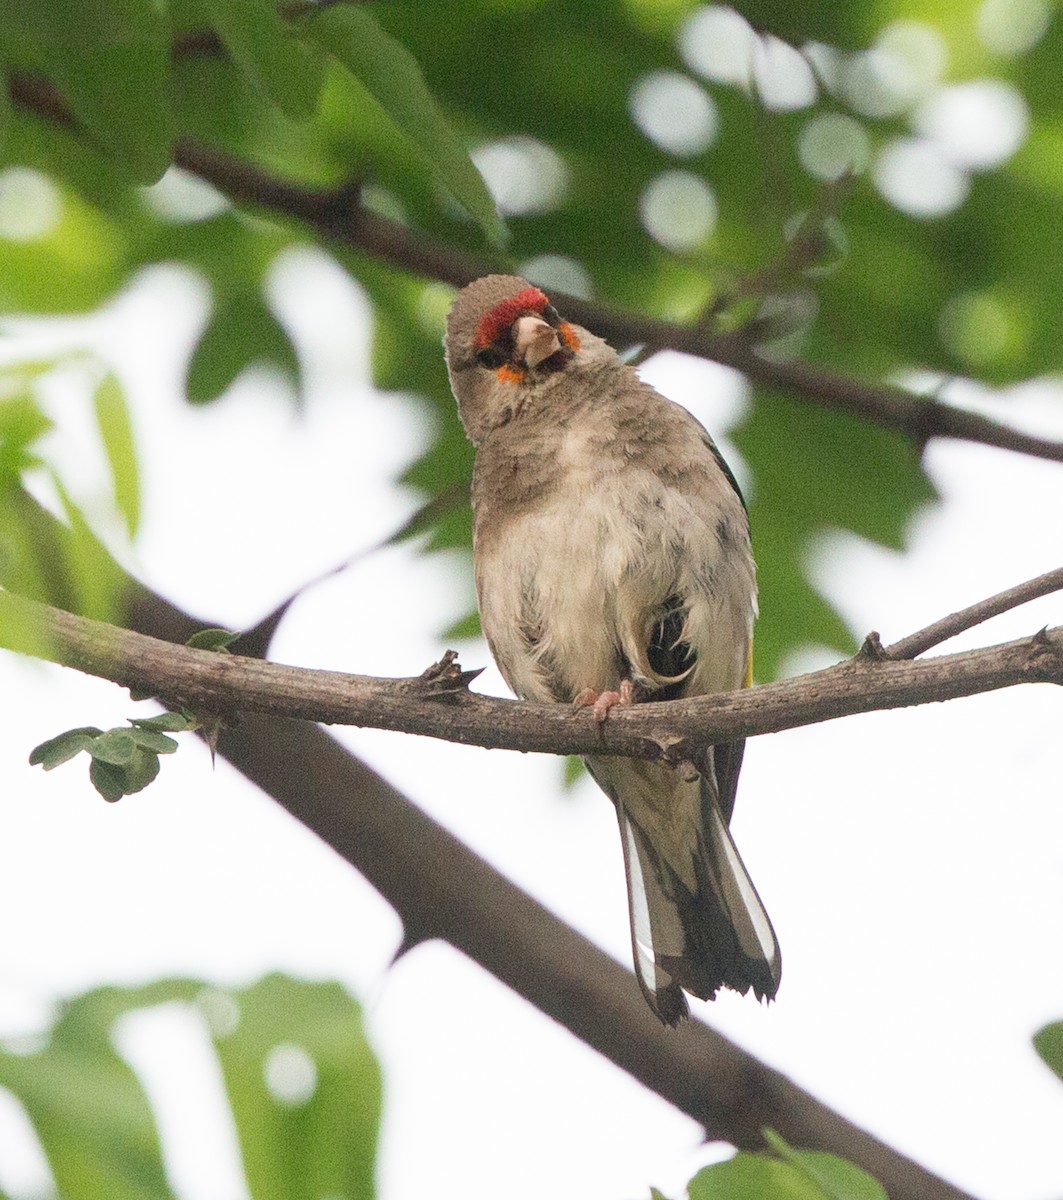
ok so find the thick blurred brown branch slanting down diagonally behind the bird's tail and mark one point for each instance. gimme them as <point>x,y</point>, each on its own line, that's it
<point>441,890</point>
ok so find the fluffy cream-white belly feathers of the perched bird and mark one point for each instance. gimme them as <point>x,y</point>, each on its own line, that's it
<point>578,583</point>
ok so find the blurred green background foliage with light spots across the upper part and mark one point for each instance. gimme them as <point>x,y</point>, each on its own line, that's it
<point>552,99</point>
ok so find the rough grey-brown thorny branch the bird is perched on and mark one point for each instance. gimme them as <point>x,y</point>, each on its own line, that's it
<point>205,681</point>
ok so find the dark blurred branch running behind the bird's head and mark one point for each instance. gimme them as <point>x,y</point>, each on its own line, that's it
<point>339,217</point>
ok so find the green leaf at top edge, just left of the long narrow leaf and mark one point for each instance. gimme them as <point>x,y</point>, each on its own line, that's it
<point>283,68</point>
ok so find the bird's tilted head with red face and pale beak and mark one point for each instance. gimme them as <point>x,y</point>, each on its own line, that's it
<point>506,340</point>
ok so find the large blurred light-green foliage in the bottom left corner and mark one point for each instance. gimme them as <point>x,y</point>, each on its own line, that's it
<point>301,1078</point>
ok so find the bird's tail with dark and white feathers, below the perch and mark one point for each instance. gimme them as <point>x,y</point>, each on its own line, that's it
<point>696,920</point>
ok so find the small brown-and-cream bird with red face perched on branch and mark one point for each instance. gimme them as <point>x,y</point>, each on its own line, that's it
<point>612,565</point>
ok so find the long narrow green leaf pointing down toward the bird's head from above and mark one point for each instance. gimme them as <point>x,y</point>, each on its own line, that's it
<point>393,77</point>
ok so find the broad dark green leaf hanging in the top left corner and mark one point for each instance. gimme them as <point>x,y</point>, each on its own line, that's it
<point>110,61</point>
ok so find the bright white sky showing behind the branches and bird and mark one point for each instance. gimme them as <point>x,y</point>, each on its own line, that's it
<point>912,862</point>
